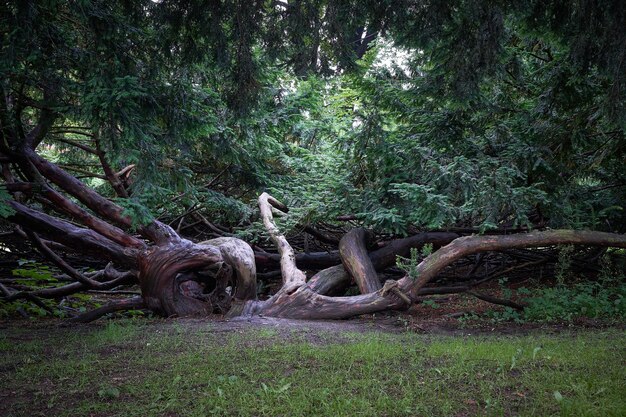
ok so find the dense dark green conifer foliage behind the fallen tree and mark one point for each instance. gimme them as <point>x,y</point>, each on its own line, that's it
<point>402,117</point>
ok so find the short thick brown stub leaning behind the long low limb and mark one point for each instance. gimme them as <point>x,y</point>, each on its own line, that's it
<point>355,259</point>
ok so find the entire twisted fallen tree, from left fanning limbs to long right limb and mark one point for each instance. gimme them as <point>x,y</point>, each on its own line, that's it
<point>179,277</point>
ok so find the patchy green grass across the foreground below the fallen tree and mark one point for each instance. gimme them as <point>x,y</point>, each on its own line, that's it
<point>196,368</point>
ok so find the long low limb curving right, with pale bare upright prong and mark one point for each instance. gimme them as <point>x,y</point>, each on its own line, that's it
<point>295,300</point>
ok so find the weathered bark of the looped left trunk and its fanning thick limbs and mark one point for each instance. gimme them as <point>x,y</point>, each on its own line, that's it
<point>164,290</point>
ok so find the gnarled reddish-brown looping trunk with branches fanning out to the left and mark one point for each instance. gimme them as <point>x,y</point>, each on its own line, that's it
<point>168,266</point>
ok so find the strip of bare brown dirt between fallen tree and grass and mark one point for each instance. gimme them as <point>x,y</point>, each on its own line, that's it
<point>444,316</point>
